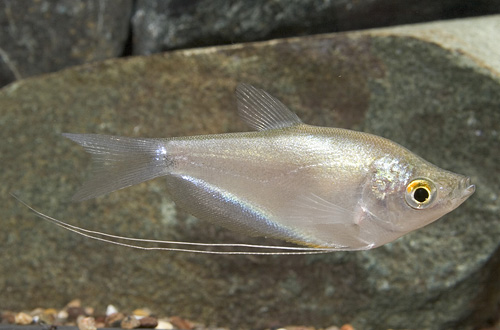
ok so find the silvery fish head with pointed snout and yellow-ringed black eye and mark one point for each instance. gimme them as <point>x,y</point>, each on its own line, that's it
<point>407,193</point>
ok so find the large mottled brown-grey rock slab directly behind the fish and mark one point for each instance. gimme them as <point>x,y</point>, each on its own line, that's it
<point>434,88</point>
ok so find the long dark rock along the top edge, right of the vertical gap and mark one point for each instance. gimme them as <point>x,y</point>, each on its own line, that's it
<point>159,25</point>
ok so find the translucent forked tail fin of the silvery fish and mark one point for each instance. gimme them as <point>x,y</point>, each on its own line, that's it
<point>120,162</point>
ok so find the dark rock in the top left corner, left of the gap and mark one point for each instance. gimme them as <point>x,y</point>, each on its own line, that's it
<point>45,36</point>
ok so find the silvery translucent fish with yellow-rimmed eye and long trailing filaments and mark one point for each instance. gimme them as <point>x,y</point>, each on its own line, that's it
<point>322,188</point>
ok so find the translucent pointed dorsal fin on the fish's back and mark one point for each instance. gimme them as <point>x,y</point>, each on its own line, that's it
<point>261,111</point>
